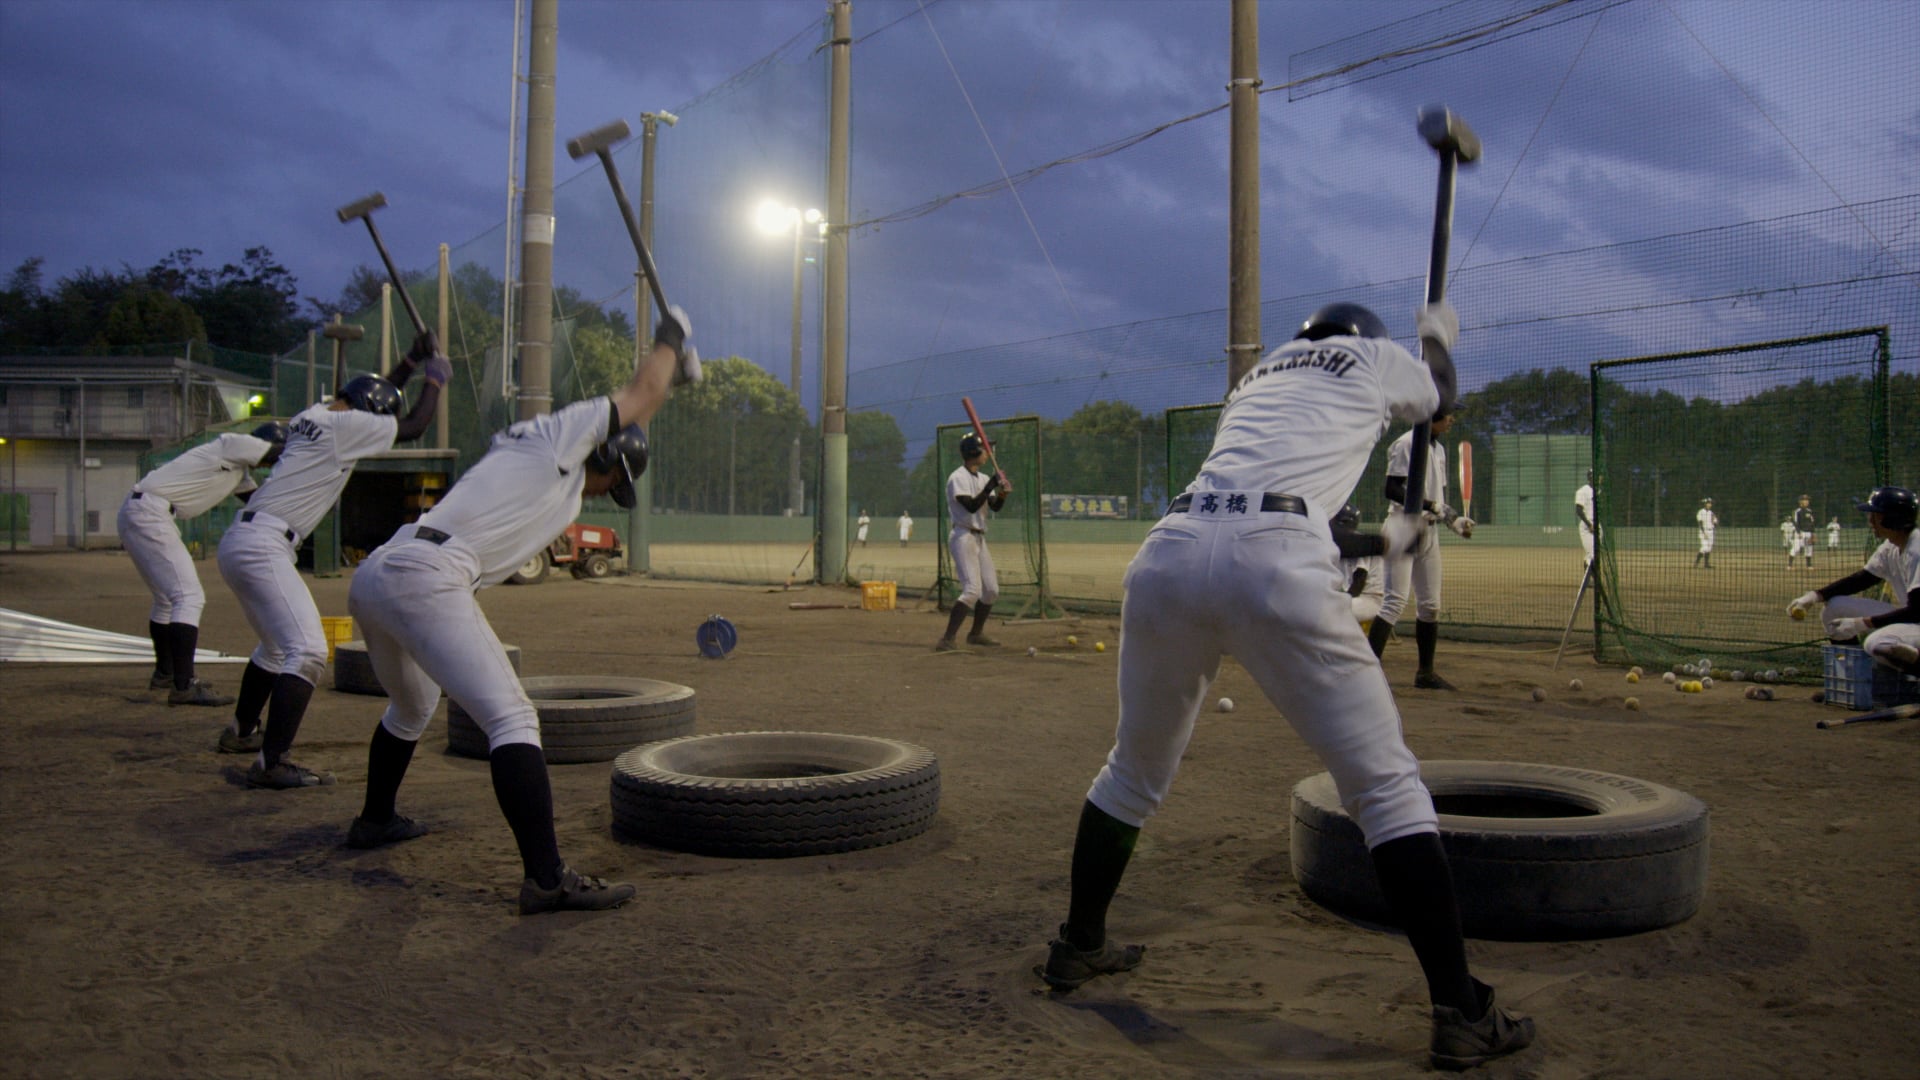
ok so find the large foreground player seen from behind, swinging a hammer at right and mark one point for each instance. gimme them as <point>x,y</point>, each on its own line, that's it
<point>1245,564</point>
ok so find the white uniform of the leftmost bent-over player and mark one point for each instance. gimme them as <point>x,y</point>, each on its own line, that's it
<point>181,489</point>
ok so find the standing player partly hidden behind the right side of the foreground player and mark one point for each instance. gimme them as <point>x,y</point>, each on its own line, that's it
<point>1422,574</point>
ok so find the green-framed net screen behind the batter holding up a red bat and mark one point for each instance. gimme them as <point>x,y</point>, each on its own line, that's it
<point>1017,533</point>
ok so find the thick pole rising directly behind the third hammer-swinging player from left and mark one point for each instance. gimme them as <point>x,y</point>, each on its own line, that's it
<point>537,216</point>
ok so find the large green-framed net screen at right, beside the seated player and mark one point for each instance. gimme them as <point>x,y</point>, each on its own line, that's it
<point>1727,485</point>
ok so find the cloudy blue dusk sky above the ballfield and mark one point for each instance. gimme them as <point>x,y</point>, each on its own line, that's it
<point>130,130</point>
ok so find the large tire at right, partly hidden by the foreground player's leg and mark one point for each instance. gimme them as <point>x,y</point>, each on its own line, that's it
<point>1539,852</point>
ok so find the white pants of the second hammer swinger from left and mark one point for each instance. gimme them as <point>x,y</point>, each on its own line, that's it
<point>258,564</point>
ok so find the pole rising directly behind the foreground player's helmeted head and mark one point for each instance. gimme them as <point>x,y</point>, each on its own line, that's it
<point>1243,197</point>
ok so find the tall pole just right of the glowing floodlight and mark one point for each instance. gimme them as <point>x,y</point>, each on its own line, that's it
<point>832,562</point>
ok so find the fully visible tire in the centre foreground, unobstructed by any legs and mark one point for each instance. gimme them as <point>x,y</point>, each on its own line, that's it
<point>775,795</point>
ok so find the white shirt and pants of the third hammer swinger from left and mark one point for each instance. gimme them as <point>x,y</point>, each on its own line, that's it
<point>416,595</point>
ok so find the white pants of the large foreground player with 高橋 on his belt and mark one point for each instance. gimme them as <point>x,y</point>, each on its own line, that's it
<point>1264,589</point>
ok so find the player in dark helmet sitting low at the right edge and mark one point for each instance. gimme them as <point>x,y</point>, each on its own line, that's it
<point>1886,631</point>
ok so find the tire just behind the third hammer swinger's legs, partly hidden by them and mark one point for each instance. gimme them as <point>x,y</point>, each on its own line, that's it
<point>588,718</point>
